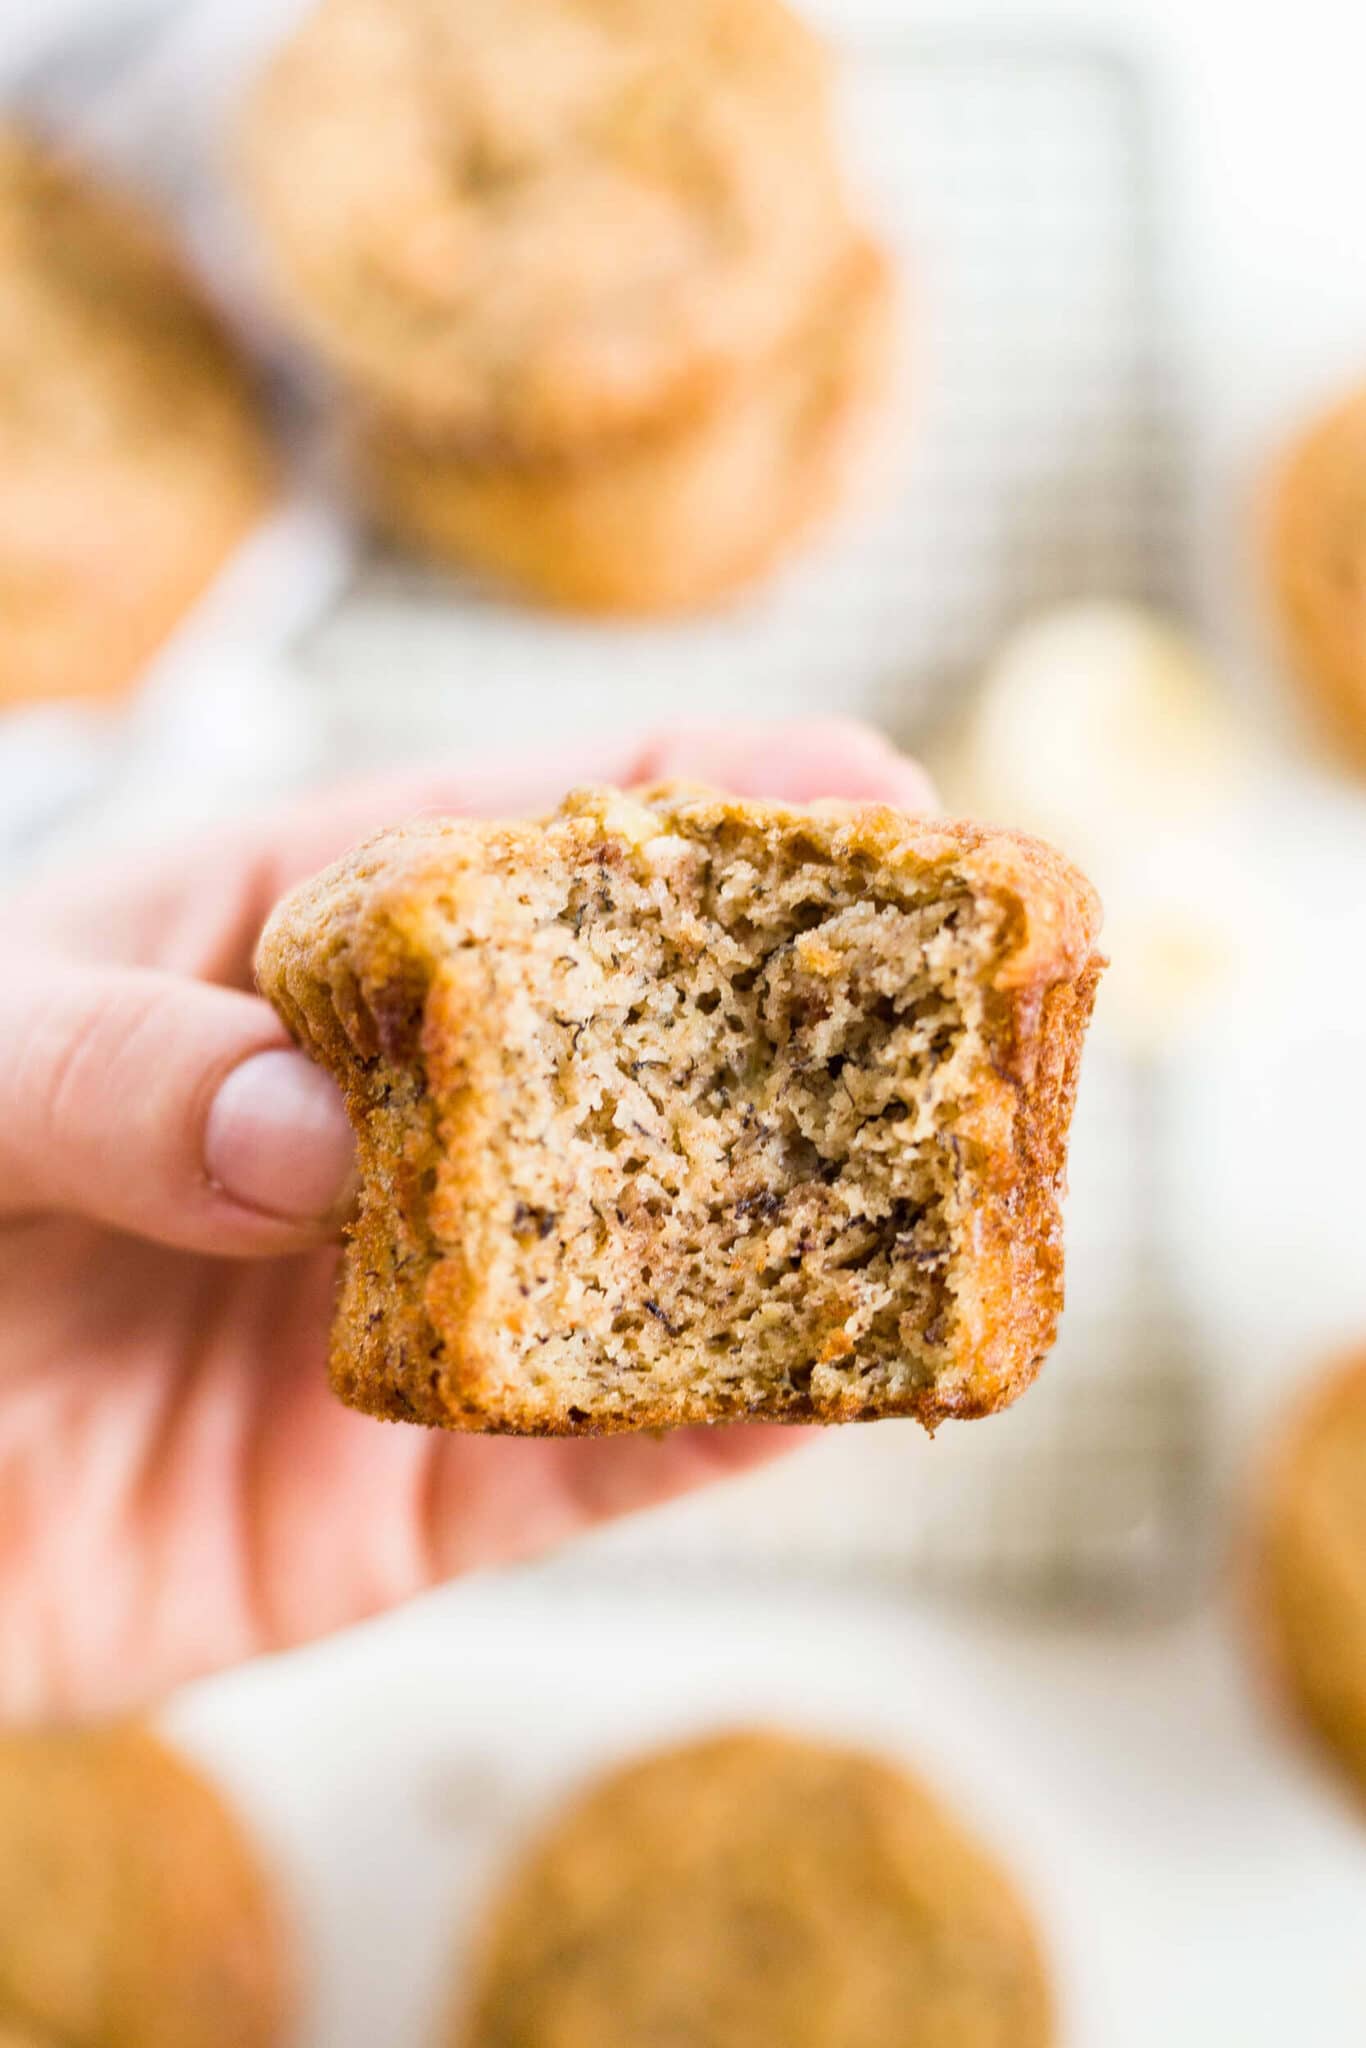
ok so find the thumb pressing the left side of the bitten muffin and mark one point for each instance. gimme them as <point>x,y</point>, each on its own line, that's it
<point>167,1107</point>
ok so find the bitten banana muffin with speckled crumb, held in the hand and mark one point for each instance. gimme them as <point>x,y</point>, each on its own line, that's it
<point>679,1109</point>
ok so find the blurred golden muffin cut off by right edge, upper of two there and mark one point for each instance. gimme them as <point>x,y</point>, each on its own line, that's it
<point>1320,568</point>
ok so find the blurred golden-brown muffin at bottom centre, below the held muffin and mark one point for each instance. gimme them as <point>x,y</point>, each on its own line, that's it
<point>755,1891</point>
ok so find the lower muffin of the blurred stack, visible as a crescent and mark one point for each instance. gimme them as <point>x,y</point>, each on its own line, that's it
<point>683,515</point>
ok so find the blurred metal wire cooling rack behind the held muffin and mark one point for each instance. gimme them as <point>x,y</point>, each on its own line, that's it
<point>1041,466</point>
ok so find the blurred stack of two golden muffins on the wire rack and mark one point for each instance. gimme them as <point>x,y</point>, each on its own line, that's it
<point>587,273</point>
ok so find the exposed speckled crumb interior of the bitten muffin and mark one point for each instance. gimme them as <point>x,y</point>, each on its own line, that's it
<point>695,1132</point>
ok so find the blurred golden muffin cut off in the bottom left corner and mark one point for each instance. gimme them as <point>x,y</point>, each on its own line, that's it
<point>132,1910</point>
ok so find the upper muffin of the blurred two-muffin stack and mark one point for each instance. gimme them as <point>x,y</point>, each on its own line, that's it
<point>527,226</point>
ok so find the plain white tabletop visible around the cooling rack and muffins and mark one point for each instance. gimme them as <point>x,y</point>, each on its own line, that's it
<point>1199,1879</point>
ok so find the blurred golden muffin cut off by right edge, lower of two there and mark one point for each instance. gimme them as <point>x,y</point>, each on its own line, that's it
<point>1312,1584</point>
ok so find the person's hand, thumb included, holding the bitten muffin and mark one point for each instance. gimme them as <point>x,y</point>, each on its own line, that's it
<point>179,1490</point>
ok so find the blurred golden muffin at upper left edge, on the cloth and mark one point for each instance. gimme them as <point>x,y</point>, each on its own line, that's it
<point>132,454</point>
